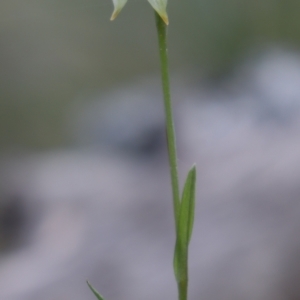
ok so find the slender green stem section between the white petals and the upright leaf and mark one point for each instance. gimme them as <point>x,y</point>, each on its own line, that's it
<point>162,40</point>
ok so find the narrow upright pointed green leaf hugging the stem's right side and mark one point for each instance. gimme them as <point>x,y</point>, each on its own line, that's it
<point>187,208</point>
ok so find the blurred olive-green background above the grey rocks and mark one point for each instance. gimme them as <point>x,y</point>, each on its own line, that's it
<point>51,51</point>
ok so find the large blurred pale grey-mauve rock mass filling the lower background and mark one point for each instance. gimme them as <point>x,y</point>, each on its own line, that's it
<point>107,217</point>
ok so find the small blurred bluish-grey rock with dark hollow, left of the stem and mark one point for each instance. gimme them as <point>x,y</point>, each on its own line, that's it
<point>127,121</point>
